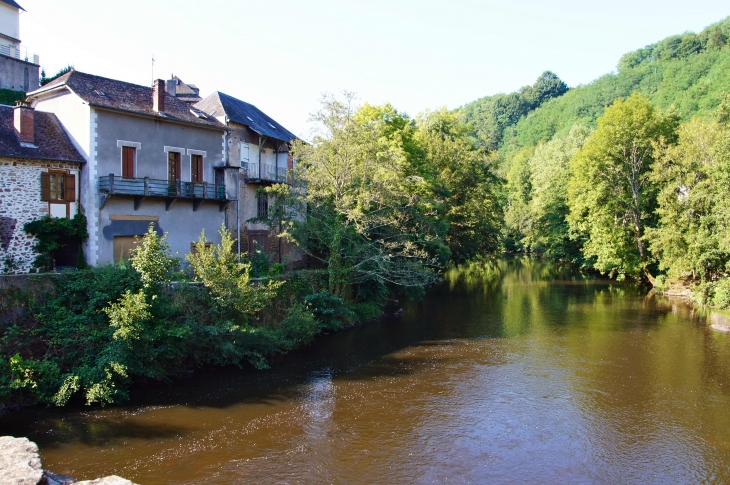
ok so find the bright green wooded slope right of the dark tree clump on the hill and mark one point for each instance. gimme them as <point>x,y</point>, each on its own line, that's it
<point>669,73</point>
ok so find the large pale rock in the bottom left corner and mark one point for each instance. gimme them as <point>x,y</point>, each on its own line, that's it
<point>19,462</point>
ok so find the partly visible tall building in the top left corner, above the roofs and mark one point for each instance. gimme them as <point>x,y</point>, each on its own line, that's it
<point>19,70</point>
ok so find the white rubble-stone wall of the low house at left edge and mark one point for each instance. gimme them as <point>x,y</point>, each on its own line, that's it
<point>20,202</point>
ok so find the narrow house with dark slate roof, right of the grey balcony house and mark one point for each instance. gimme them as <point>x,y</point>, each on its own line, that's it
<point>260,149</point>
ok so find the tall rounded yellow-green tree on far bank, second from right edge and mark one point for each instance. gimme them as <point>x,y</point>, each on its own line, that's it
<point>611,195</point>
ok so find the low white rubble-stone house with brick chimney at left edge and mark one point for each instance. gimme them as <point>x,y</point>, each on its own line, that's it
<point>39,173</point>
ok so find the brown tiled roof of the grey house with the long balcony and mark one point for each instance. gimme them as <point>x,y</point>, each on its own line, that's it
<point>118,95</point>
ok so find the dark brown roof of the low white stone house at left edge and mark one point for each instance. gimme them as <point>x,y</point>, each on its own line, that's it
<point>50,138</point>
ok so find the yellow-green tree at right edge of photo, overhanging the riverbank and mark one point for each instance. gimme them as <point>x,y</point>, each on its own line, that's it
<point>692,239</point>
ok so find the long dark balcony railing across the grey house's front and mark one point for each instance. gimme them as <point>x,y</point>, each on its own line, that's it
<point>147,187</point>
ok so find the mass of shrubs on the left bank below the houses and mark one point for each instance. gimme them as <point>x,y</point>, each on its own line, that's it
<point>102,328</point>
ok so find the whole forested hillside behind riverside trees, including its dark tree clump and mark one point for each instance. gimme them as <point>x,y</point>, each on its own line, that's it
<point>689,71</point>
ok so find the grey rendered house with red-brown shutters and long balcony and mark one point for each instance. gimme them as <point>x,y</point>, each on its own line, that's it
<point>150,159</point>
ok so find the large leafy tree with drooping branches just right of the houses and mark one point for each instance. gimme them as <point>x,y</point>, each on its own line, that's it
<point>364,213</point>
